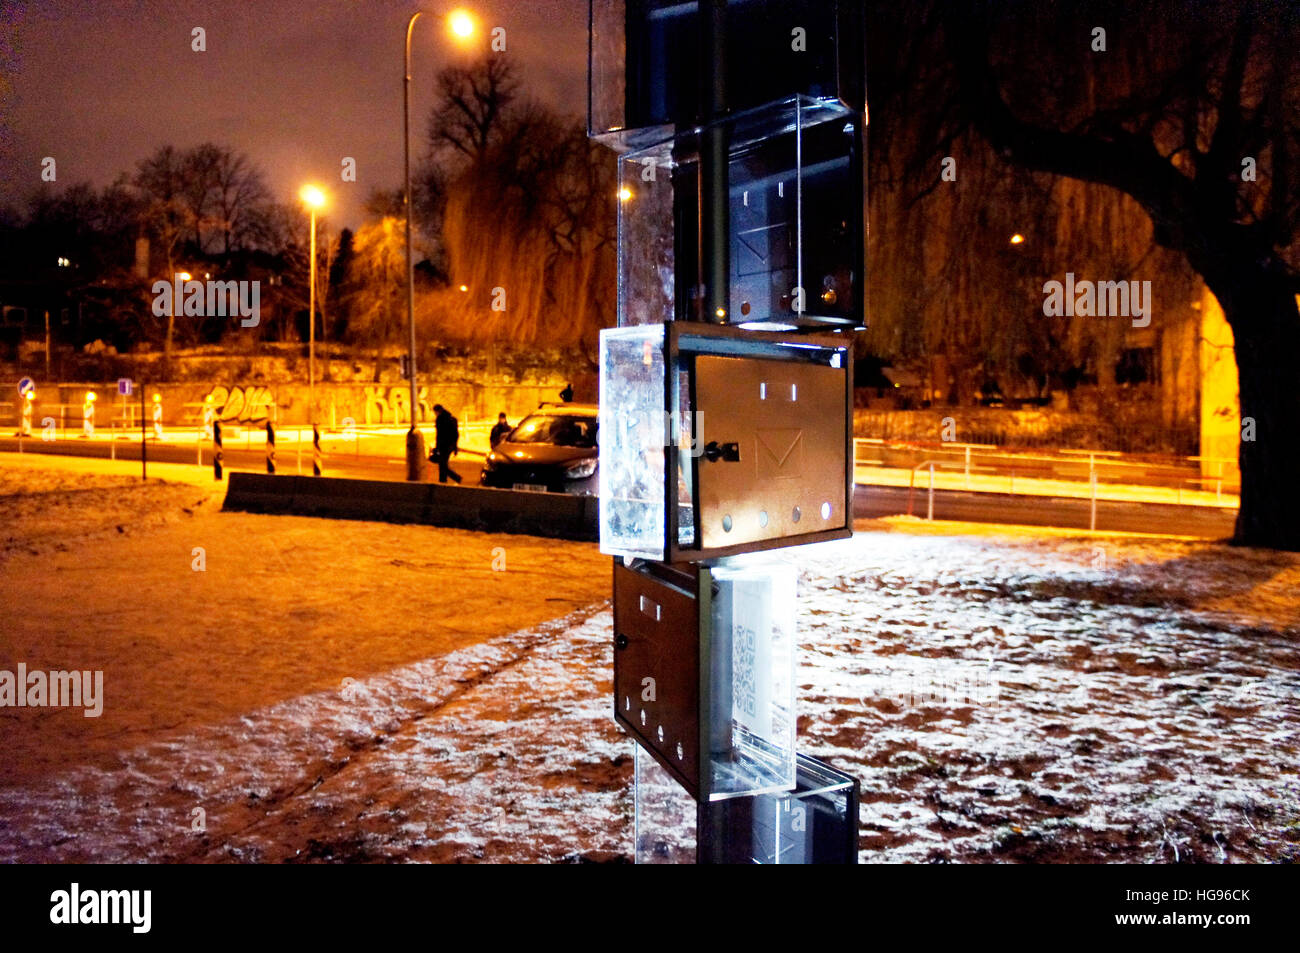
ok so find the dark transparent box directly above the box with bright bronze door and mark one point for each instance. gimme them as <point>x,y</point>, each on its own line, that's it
<point>795,222</point>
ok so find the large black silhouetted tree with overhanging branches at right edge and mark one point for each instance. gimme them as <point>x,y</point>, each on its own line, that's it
<point>1193,110</point>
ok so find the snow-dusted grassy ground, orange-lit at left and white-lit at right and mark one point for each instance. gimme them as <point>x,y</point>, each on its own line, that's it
<point>362,692</point>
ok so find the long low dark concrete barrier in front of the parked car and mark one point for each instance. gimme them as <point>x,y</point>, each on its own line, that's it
<point>466,508</point>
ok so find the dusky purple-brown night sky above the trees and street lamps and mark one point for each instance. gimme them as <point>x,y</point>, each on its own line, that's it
<point>294,85</point>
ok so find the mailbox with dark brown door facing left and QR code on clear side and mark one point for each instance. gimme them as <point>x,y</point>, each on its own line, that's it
<point>704,673</point>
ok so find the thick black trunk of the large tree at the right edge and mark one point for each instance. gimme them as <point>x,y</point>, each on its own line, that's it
<point>1262,310</point>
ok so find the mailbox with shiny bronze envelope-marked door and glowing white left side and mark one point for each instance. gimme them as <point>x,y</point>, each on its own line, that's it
<point>717,441</point>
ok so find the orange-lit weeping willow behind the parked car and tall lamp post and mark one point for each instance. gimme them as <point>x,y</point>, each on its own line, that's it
<point>526,211</point>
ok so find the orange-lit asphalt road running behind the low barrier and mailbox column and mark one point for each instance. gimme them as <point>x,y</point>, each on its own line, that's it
<point>869,501</point>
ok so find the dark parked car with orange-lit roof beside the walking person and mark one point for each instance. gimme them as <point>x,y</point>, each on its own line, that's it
<point>552,450</point>
